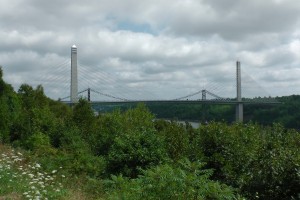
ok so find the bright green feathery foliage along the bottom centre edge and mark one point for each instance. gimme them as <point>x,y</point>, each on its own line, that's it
<point>184,180</point>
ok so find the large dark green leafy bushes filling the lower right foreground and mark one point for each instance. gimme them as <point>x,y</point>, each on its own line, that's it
<point>258,161</point>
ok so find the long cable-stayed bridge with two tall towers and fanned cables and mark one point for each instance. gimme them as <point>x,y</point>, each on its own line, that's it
<point>104,88</point>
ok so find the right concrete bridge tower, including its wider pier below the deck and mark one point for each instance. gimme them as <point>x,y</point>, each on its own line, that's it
<point>239,106</point>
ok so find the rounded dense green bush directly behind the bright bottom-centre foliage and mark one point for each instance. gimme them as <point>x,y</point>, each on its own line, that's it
<point>138,150</point>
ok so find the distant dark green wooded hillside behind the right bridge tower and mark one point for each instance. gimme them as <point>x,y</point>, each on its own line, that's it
<point>286,113</point>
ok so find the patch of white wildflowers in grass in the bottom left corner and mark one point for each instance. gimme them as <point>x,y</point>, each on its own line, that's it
<point>22,179</point>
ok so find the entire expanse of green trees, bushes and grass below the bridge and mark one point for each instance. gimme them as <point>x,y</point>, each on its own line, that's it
<point>130,154</point>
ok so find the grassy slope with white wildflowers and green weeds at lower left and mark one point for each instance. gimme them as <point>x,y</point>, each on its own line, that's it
<point>21,177</point>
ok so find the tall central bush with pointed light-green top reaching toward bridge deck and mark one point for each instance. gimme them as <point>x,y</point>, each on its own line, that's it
<point>134,144</point>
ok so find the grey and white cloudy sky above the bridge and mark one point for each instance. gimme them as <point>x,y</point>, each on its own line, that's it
<point>153,48</point>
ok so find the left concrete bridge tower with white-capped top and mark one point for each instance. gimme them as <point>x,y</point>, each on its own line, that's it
<point>74,78</point>
